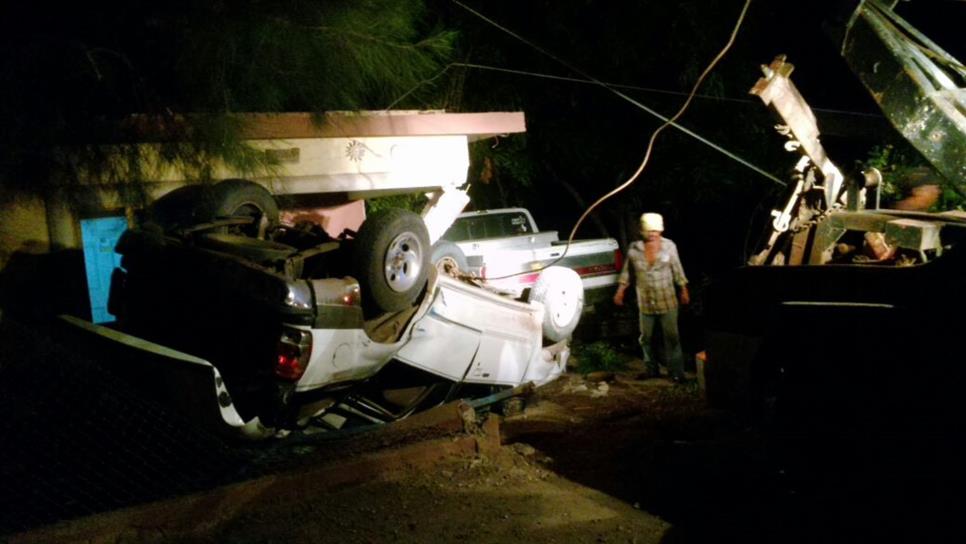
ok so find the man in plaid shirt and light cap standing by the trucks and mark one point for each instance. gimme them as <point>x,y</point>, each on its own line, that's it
<point>657,270</point>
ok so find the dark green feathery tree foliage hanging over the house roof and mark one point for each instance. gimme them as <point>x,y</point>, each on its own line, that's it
<point>74,71</point>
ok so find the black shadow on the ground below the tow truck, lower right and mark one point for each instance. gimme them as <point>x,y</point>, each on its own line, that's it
<point>715,479</point>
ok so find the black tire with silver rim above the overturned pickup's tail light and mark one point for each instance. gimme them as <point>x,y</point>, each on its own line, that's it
<point>391,259</point>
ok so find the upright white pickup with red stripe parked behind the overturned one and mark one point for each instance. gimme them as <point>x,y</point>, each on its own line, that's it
<point>505,247</point>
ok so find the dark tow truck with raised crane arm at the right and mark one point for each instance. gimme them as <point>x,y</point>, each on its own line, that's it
<point>847,315</point>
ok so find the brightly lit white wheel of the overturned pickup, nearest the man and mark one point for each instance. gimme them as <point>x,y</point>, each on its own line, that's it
<point>561,292</point>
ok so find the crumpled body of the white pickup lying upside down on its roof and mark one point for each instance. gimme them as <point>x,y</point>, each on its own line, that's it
<point>294,346</point>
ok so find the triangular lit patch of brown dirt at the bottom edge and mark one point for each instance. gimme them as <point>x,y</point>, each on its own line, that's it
<point>508,497</point>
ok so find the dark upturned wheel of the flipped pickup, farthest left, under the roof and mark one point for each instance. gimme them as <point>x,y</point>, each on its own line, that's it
<point>243,198</point>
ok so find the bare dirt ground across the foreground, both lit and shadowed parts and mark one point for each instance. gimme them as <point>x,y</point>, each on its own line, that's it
<point>607,458</point>
